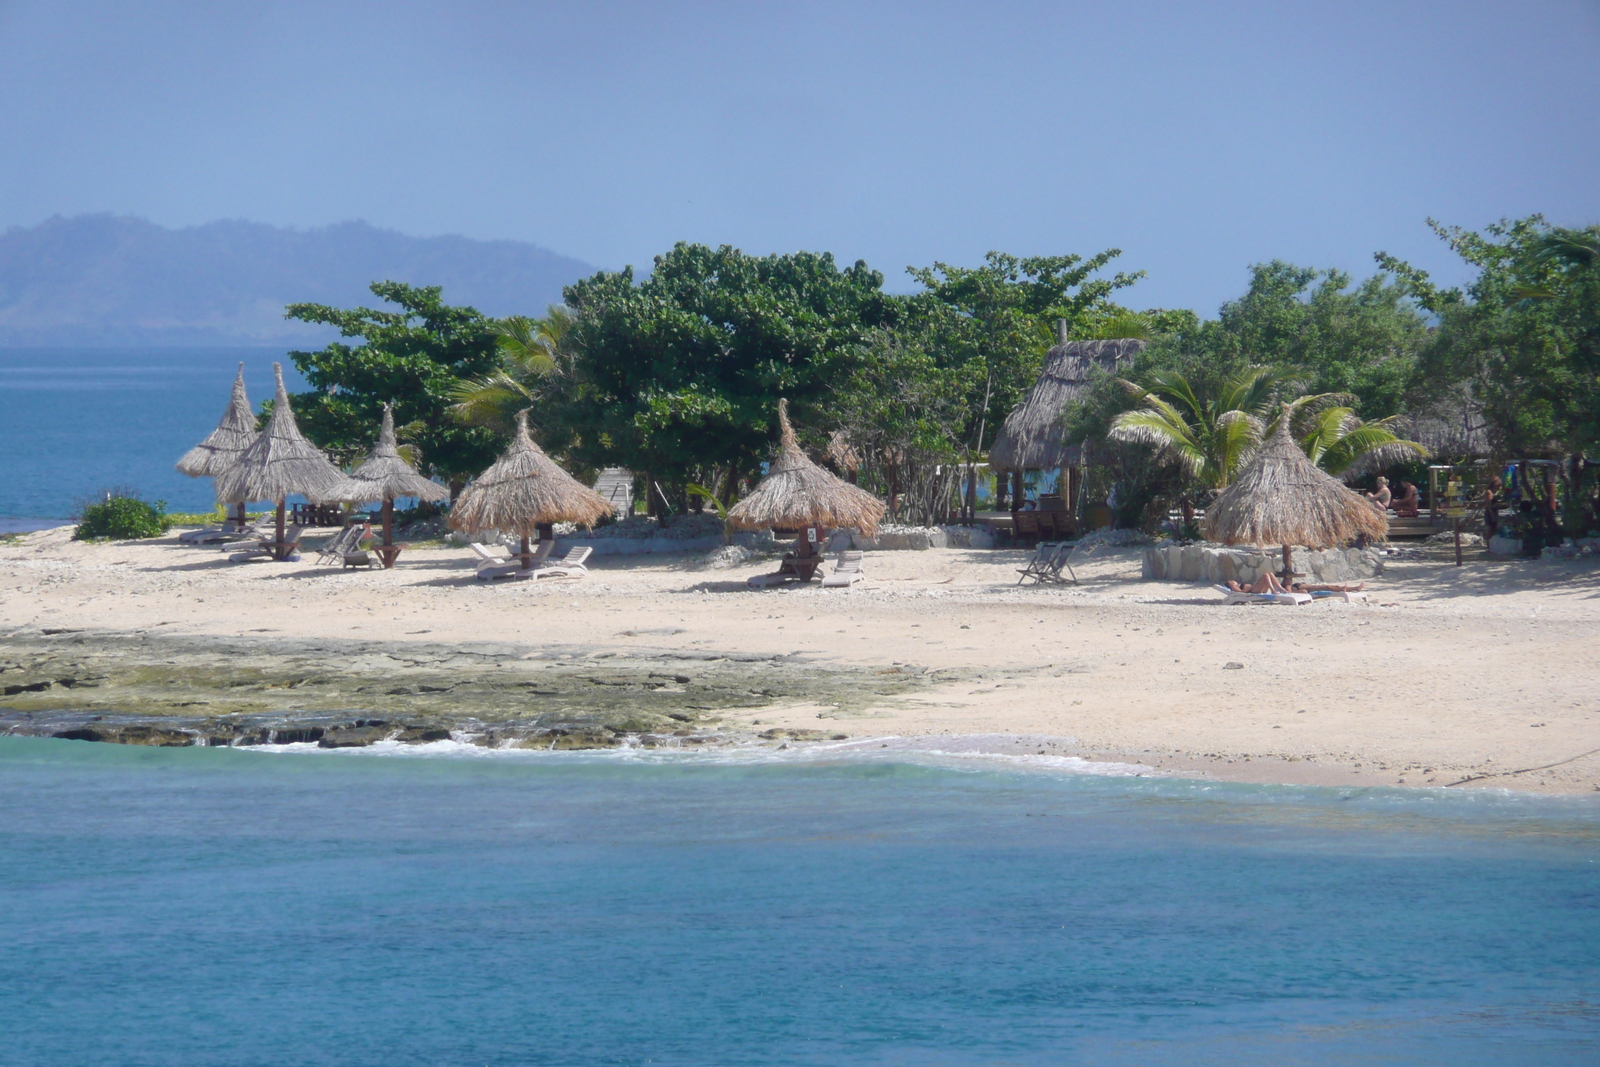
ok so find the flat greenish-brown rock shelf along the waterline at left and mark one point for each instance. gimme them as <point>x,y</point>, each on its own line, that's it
<point>175,690</point>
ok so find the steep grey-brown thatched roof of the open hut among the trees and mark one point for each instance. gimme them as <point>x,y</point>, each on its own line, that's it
<point>1031,436</point>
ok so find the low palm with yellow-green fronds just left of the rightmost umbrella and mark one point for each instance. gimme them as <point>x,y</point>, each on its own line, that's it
<point>1210,436</point>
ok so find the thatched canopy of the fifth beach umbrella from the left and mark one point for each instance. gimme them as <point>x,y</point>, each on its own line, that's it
<point>799,494</point>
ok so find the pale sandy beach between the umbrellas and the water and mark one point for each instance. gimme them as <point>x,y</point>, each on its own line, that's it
<point>1476,677</point>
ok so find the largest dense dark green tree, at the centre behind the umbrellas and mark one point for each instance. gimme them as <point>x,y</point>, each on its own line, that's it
<point>682,372</point>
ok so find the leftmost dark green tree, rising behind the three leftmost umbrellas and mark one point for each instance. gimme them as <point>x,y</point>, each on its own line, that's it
<point>415,359</point>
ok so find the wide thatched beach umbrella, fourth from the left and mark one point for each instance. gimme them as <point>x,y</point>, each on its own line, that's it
<point>526,494</point>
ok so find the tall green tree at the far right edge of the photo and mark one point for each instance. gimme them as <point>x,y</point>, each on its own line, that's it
<point>1526,334</point>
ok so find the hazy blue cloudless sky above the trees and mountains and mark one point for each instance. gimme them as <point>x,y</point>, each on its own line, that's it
<point>1196,137</point>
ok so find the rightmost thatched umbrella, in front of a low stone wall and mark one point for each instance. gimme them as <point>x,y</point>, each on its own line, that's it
<point>1282,498</point>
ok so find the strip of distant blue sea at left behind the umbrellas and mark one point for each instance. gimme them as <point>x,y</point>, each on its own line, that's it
<point>76,423</point>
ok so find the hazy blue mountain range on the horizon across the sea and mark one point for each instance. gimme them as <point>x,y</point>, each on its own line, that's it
<point>111,281</point>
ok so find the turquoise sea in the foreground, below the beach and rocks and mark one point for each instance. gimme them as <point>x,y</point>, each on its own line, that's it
<point>204,906</point>
